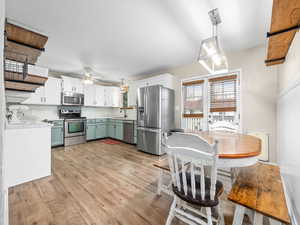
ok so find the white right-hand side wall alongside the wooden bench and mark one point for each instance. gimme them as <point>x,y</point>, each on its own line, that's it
<point>289,123</point>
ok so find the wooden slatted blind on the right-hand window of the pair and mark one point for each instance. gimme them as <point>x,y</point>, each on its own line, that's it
<point>223,94</point>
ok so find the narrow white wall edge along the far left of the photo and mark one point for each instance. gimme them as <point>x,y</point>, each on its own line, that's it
<point>3,193</point>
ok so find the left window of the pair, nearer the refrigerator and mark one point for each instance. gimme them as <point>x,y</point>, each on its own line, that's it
<point>193,99</point>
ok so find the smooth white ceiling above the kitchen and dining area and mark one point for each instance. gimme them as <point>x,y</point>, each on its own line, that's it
<point>121,38</point>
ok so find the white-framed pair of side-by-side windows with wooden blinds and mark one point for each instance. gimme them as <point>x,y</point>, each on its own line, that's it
<point>211,101</point>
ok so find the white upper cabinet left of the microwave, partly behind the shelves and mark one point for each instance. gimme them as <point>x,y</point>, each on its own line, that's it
<point>50,94</point>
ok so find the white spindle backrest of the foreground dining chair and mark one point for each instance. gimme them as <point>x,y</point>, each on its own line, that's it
<point>188,155</point>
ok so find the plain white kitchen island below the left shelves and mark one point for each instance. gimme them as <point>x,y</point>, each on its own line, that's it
<point>27,152</point>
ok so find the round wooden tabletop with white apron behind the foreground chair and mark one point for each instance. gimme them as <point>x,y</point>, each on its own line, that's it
<point>235,149</point>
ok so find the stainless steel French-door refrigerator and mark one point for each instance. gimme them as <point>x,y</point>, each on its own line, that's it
<point>156,114</point>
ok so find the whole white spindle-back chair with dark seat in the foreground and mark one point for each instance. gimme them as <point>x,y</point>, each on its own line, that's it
<point>191,159</point>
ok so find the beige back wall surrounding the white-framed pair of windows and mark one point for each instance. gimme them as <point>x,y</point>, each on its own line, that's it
<point>259,91</point>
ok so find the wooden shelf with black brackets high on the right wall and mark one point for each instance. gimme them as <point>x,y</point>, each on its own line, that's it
<point>284,25</point>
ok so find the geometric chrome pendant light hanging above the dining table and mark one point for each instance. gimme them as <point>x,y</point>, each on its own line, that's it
<point>211,55</point>
